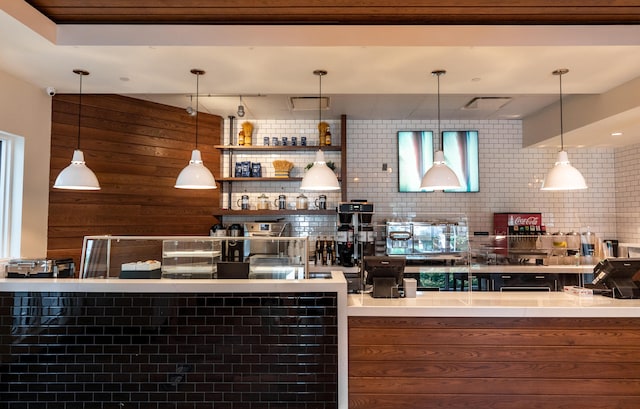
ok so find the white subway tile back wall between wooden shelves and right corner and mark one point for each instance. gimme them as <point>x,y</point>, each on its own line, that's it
<point>510,177</point>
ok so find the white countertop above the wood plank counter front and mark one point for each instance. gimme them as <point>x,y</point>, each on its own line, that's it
<point>492,304</point>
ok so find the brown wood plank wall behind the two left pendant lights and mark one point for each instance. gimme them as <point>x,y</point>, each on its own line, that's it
<point>137,149</point>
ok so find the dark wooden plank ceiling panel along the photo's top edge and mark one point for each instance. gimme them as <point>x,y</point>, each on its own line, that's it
<point>376,12</point>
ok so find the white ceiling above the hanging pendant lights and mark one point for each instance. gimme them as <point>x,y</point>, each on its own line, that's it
<point>374,72</point>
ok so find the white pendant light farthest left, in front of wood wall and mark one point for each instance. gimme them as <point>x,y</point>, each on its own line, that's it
<point>77,176</point>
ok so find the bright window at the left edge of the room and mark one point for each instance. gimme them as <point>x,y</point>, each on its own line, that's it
<point>11,174</point>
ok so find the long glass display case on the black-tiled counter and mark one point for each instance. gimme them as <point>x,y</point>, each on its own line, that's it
<point>184,257</point>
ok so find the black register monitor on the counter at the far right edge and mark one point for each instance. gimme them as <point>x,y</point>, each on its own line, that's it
<point>620,275</point>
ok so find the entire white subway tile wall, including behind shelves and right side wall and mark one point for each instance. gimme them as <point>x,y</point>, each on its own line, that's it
<point>510,178</point>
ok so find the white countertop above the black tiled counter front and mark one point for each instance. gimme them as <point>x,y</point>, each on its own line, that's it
<point>337,282</point>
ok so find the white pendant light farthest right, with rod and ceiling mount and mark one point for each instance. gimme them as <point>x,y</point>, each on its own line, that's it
<point>563,176</point>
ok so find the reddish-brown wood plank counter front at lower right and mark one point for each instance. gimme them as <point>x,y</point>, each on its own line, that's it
<point>505,363</point>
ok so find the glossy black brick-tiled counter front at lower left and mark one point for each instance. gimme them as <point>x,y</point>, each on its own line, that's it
<point>169,350</point>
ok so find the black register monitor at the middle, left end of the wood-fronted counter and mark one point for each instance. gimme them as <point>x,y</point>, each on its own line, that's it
<point>385,274</point>
